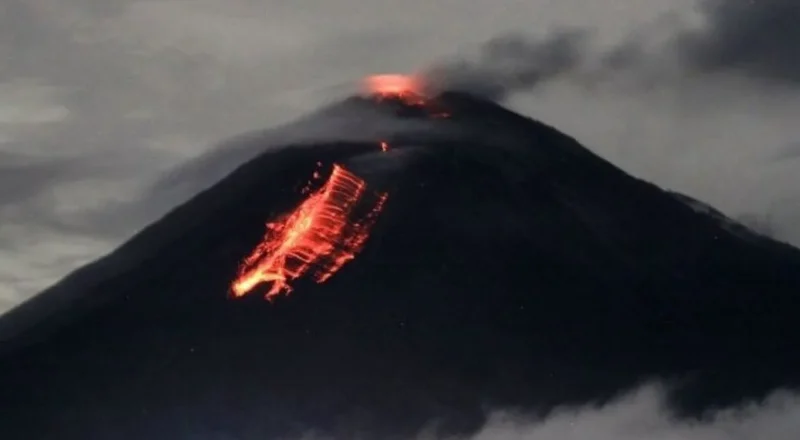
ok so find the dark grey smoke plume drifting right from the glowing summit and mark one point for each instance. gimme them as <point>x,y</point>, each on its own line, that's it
<point>757,39</point>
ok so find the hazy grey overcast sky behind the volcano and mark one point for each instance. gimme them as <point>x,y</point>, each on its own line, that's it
<point>99,97</point>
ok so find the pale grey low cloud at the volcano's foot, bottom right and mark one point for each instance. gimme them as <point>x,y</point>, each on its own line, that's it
<point>642,416</point>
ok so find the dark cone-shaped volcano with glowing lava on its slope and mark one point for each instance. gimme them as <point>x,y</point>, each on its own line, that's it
<point>507,267</point>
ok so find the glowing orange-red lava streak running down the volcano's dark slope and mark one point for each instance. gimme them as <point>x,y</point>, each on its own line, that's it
<point>317,238</point>
